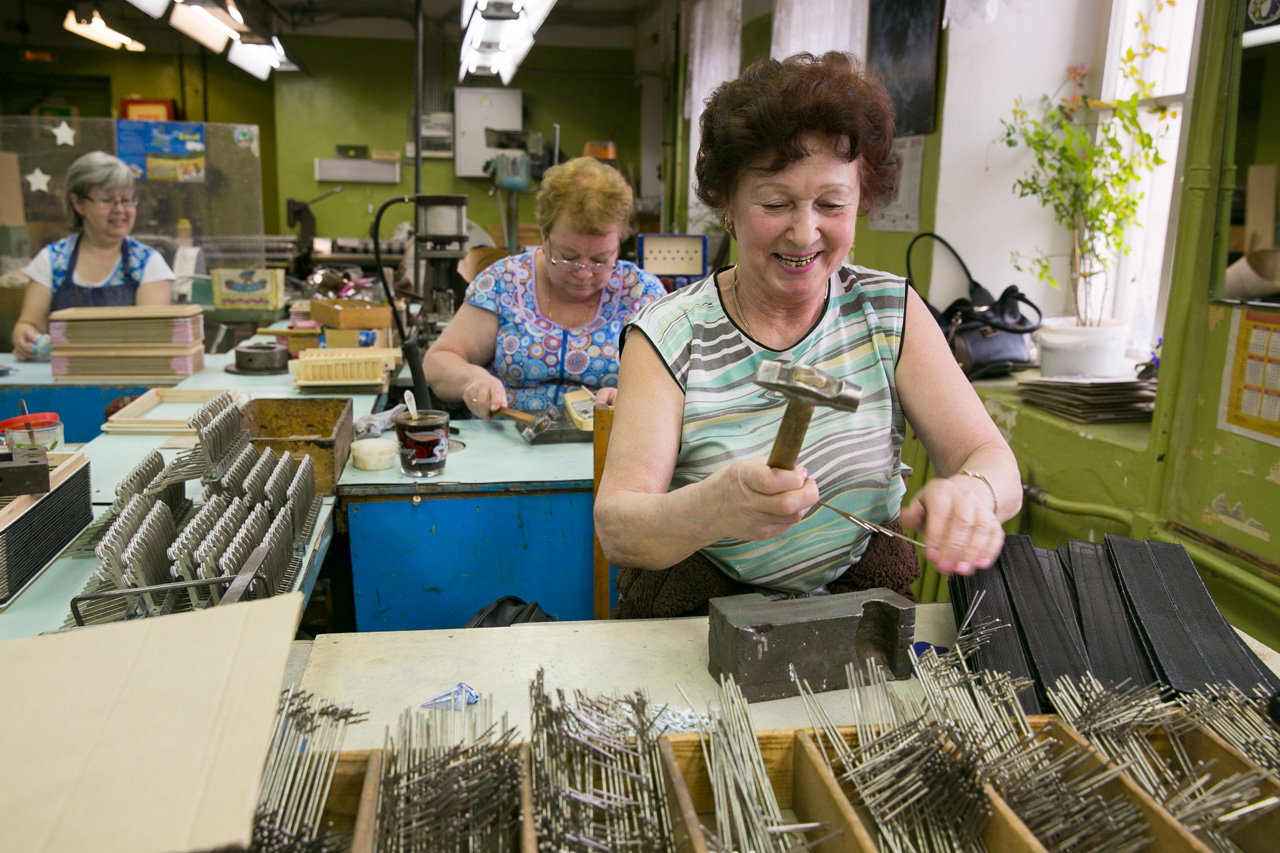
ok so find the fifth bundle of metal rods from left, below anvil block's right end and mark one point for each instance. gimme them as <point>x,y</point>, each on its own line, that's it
<point>918,779</point>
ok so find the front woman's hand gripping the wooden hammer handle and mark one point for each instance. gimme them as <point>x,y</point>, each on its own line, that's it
<point>752,501</point>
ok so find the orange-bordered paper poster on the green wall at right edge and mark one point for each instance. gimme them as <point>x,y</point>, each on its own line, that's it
<point>1250,404</point>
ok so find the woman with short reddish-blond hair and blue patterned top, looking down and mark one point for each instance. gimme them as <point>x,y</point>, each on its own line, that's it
<point>537,325</point>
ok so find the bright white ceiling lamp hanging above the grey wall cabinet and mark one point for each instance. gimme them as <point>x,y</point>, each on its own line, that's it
<point>499,35</point>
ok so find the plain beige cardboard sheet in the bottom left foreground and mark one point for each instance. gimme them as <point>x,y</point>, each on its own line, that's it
<point>143,736</point>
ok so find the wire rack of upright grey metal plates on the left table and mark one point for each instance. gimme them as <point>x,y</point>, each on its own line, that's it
<point>255,505</point>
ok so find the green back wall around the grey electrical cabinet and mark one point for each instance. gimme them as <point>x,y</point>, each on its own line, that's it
<point>362,93</point>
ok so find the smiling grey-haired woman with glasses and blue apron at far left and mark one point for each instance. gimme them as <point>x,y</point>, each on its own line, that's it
<point>98,264</point>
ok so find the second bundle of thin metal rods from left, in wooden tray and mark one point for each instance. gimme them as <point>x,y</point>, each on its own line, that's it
<point>451,783</point>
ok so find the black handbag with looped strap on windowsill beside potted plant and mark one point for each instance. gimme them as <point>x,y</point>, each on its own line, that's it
<point>989,336</point>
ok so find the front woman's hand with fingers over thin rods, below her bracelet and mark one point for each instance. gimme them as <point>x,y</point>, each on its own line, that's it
<point>962,533</point>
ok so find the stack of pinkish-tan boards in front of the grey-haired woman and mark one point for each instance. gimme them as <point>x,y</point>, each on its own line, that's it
<point>135,343</point>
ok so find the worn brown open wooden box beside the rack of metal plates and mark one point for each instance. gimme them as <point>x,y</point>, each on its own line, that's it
<point>319,427</point>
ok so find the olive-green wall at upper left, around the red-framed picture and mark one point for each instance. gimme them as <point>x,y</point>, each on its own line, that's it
<point>234,95</point>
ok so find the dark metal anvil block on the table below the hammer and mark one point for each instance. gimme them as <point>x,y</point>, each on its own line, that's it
<point>766,645</point>
